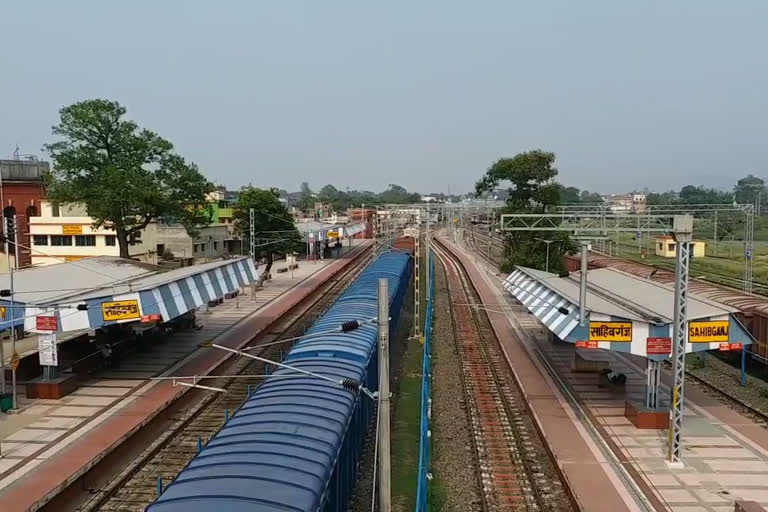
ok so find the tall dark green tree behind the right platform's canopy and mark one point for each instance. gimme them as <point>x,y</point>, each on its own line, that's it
<point>533,189</point>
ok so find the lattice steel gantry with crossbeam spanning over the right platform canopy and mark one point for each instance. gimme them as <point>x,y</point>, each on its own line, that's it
<point>586,224</point>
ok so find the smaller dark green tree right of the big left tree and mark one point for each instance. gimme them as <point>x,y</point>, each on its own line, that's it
<point>274,226</point>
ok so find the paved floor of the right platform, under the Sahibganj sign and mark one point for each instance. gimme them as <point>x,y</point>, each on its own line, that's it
<point>725,454</point>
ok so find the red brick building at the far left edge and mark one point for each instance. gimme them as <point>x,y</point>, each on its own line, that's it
<point>21,191</point>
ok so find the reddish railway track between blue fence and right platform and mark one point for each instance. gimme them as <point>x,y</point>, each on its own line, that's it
<point>515,467</point>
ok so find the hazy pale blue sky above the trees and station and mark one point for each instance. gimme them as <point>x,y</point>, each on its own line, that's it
<point>426,94</point>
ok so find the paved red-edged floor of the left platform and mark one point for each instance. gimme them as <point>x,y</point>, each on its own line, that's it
<point>48,444</point>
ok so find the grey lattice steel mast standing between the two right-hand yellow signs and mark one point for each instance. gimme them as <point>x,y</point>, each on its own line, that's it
<point>683,235</point>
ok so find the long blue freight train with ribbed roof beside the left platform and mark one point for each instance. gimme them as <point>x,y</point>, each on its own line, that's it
<point>296,442</point>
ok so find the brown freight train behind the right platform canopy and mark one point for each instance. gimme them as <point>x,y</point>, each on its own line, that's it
<point>753,309</point>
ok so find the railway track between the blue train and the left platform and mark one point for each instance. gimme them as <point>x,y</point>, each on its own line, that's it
<point>137,485</point>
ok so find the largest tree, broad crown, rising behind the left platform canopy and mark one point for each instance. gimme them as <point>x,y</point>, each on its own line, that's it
<point>127,177</point>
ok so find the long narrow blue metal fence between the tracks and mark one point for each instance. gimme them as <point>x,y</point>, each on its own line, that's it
<point>426,400</point>
